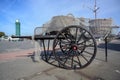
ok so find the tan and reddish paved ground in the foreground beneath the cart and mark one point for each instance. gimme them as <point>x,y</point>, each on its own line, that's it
<point>21,67</point>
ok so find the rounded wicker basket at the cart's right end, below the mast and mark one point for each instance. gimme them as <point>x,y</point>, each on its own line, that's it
<point>100,26</point>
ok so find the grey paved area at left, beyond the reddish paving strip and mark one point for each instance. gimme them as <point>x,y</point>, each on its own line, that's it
<point>6,46</point>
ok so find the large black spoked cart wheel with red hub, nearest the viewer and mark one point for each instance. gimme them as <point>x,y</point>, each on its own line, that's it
<point>76,49</point>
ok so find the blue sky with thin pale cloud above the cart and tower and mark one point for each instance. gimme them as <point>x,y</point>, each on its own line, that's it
<point>34,13</point>
